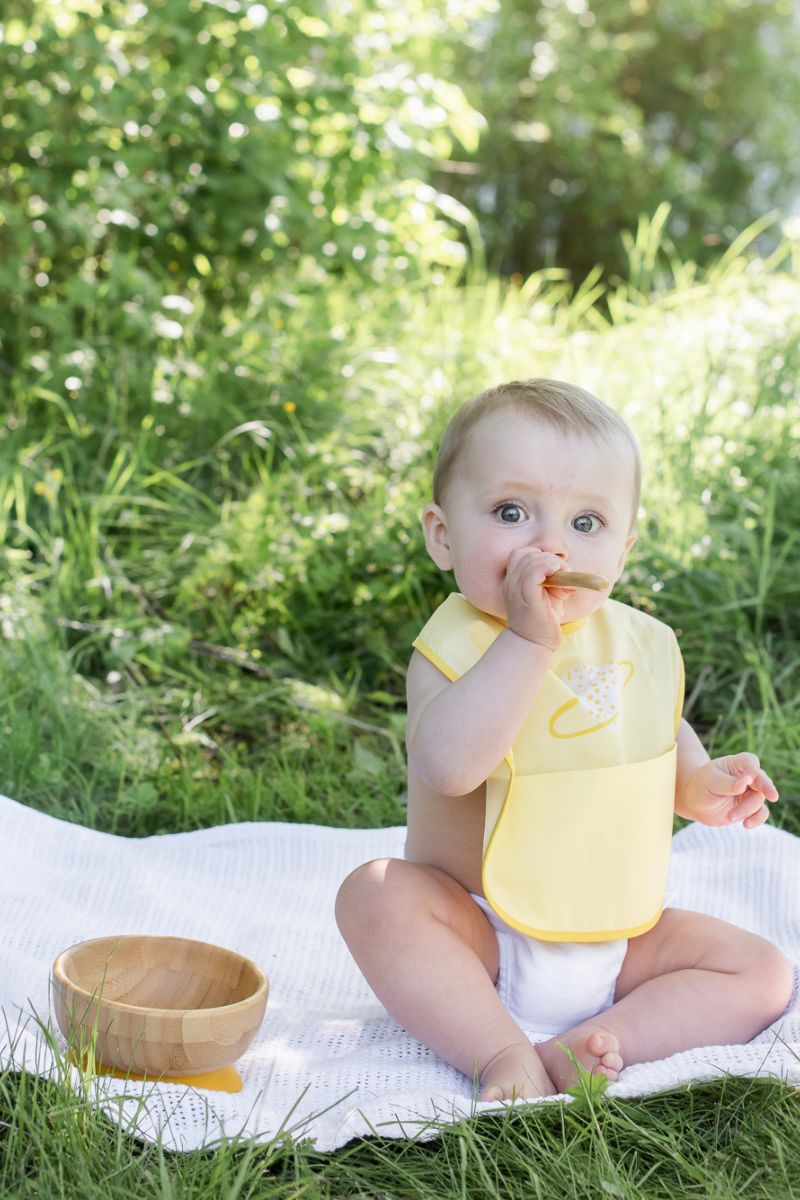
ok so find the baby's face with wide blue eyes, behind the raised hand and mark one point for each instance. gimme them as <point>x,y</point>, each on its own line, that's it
<point>522,483</point>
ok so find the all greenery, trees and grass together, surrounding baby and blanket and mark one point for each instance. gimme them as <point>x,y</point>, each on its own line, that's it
<point>237,309</point>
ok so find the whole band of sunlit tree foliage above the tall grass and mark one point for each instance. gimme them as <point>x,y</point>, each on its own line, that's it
<point>238,153</point>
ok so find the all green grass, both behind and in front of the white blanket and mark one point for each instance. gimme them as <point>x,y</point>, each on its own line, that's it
<point>207,602</point>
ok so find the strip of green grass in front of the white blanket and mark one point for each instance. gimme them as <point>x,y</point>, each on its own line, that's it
<point>714,1143</point>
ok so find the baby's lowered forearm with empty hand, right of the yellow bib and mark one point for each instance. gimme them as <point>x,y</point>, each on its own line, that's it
<point>720,791</point>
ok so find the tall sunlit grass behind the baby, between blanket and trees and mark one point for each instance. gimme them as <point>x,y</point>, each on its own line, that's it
<point>219,587</point>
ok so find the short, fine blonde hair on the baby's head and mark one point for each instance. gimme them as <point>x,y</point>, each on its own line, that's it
<point>563,406</point>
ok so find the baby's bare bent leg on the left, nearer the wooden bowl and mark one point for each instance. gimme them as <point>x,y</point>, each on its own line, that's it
<point>431,957</point>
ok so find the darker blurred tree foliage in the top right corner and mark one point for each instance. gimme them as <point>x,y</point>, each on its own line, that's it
<point>598,113</point>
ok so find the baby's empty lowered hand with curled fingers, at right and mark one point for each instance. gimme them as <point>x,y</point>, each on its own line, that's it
<point>729,790</point>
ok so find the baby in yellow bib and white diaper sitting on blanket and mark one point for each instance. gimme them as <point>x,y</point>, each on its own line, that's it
<point>546,759</point>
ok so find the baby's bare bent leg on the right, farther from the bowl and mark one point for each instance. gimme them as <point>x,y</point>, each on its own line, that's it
<point>691,981</point>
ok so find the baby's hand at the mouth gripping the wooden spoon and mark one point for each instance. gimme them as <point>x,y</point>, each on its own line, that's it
<point>533,611</point>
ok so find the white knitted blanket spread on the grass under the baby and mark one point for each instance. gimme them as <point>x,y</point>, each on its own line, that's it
<point>328,1064</point>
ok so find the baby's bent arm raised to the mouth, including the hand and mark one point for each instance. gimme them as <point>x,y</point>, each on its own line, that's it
<point>459,733</point>
